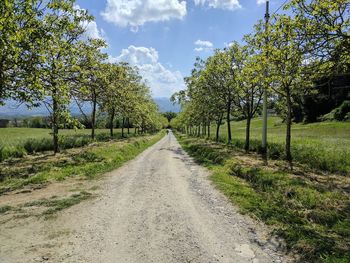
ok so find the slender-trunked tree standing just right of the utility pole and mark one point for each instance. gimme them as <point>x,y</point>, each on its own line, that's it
<point>288,69</point>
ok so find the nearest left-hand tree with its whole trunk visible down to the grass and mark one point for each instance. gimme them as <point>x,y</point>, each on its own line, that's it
<point>59,69</point>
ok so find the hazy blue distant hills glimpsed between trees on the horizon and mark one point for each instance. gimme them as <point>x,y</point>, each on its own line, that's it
<point>13,109</point>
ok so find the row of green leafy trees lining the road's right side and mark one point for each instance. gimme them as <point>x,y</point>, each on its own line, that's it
<point>288,56</point>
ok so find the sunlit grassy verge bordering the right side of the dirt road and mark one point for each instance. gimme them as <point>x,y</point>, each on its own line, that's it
<point>312,217</point>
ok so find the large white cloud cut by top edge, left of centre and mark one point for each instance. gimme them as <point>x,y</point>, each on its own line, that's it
<point>135,13</point>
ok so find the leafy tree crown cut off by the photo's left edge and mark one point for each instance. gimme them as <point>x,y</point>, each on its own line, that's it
<point>21,42</point>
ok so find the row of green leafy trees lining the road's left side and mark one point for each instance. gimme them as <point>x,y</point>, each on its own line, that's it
<point>46,59</point>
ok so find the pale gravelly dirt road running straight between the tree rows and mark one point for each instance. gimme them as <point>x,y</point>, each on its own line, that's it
<point>160,207</point>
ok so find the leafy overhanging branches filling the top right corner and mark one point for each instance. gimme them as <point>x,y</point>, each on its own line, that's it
<point>324,27</point>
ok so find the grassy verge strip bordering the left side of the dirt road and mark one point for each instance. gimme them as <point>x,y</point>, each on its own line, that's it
<point>86,163</point>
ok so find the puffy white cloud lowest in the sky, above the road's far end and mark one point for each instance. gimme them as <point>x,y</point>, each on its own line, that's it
<point>163,81</point>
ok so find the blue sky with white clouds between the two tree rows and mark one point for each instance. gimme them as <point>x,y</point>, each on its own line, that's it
<point>163,37</point>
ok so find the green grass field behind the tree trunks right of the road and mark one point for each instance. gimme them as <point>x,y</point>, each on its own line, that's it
<point>324,146</point>
